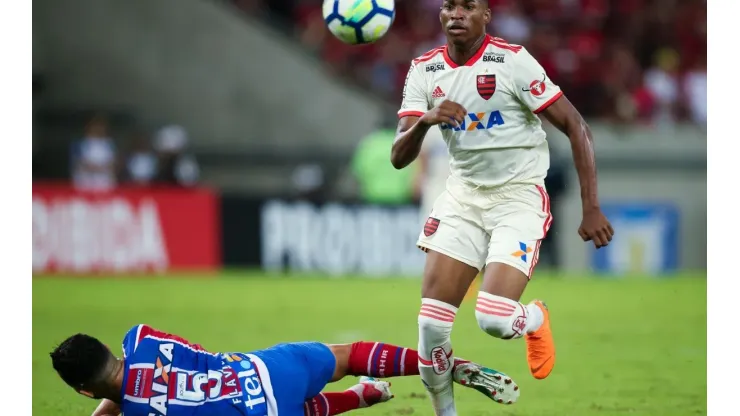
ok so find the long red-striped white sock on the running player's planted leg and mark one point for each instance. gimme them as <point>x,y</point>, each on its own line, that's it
<point>435,354</point>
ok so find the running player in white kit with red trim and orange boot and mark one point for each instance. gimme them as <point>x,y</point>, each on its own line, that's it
<point>484,94</point>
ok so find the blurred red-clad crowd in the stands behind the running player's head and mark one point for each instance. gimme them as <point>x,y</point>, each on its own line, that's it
<point>638,61</point>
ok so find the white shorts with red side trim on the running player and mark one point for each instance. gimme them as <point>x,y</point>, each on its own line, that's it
<point>479,227</point>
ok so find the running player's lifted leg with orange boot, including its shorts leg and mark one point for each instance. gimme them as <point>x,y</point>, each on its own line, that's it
<point>519,223</point>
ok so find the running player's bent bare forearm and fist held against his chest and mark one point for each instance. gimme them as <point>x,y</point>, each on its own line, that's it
<point>412,129</point>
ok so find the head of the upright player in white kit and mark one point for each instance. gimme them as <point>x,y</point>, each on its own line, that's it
<point>464,21</point>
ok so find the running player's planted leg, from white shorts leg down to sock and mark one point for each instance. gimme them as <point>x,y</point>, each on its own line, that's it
<point>456,243</point>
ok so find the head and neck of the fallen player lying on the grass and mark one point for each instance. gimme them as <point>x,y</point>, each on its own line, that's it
<point>86,365</point>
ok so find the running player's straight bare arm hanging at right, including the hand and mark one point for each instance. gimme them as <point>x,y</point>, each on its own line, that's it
<point>563,115</point>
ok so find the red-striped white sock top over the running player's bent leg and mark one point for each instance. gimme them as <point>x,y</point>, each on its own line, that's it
<point>497,316</point>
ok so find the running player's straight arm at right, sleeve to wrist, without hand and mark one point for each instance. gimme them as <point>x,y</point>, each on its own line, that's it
<point>563,115</point>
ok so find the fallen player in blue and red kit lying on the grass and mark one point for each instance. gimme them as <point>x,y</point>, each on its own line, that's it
<point>164,374</point>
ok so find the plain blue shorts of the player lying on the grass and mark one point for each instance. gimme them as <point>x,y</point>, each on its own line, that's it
<point>298,372</point>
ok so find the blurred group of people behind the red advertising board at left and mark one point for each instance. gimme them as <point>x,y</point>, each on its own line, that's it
<point>97,163</point>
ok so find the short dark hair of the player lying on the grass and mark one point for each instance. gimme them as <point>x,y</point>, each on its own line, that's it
<point>80,359</point>
